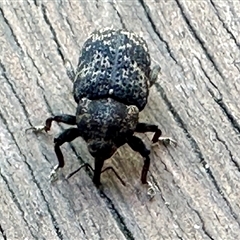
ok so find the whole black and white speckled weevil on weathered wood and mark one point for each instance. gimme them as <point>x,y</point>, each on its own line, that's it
<point>111,87</point>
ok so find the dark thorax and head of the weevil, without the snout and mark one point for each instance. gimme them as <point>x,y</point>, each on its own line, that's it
<point>105,124</point>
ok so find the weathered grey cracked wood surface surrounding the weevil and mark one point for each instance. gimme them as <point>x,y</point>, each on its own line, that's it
<point>196,102</point>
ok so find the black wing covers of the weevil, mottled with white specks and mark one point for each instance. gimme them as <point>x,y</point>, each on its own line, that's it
<point>116,64</point>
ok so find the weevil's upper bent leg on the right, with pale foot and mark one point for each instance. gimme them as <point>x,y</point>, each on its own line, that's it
<point>145,127</point>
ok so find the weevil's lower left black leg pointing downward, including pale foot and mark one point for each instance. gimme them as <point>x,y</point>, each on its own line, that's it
<point>67,136</point>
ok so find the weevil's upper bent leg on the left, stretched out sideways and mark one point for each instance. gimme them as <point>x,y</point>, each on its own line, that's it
<point>63,118</point>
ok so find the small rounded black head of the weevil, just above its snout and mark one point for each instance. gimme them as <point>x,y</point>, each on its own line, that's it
<point>101,149</point>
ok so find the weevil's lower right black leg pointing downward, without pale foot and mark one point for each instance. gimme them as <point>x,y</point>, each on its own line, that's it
<point>137,145</point>
